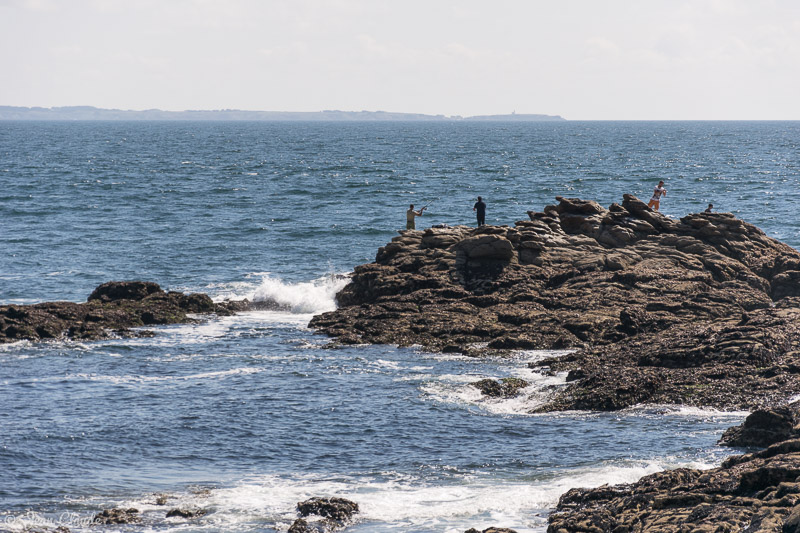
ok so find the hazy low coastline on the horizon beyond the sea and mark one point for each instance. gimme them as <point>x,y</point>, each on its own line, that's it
<point>95,113</point>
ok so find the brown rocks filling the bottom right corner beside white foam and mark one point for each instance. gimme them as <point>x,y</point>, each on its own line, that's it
<point>754,492</point>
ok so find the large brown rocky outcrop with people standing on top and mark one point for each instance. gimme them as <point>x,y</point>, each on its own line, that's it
<point>704,310</point>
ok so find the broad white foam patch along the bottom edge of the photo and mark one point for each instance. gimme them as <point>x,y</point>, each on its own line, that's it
<point>396,502</point>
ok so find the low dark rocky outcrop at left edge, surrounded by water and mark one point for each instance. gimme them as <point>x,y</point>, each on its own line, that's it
<point>111,310</point>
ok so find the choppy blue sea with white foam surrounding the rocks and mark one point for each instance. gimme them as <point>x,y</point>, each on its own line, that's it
<point>245,416</point>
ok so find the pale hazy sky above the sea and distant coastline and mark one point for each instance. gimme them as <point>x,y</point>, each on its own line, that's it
<point>581,59</point>
